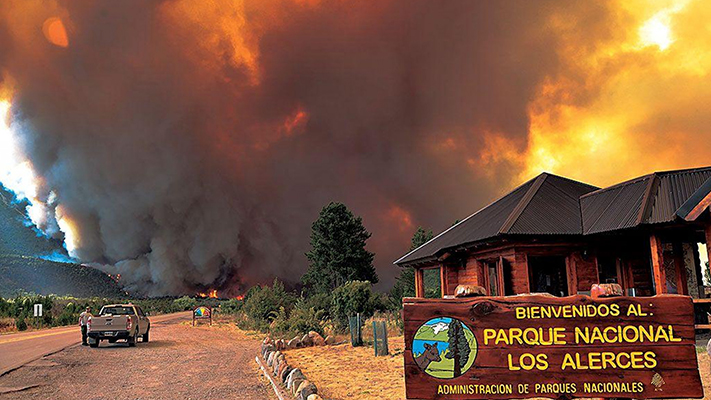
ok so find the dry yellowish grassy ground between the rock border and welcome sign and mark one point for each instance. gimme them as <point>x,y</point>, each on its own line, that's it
<point>375,378</point>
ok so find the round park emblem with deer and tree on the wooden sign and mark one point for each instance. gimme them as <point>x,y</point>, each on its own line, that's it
<point>444,347</point>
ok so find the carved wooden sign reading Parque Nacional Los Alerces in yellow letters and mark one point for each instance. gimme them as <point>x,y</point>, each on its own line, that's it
<point>539,346</point>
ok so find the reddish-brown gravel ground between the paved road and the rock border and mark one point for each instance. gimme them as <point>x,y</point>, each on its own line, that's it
<point>180,362</point>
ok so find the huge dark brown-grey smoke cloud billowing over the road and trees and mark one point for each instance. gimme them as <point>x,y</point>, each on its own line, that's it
<point>173,159</point>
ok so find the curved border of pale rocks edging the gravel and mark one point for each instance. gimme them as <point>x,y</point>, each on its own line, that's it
<point>287,376</point>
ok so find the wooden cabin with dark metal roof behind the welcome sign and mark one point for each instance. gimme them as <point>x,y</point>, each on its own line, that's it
<point>560,236</point>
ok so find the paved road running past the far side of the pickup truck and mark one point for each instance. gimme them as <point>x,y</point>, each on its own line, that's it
<point>18,349</point>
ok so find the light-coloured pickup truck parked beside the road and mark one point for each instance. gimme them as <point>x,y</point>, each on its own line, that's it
<point>118,322</point>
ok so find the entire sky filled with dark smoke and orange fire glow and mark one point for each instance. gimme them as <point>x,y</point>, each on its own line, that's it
<point>189,145</point>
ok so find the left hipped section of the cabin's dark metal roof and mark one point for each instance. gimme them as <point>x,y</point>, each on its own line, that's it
<point>545,205</point>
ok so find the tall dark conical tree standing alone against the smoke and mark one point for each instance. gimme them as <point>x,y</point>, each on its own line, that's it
<point>338,251</point>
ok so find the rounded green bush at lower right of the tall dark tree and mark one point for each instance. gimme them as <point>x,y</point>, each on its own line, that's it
<point>352,298</point>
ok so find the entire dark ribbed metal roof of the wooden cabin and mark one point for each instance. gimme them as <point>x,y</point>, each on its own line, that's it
<point>553,205</point>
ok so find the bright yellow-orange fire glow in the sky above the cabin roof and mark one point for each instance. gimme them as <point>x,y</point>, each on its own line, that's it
<point>618,108</point>
